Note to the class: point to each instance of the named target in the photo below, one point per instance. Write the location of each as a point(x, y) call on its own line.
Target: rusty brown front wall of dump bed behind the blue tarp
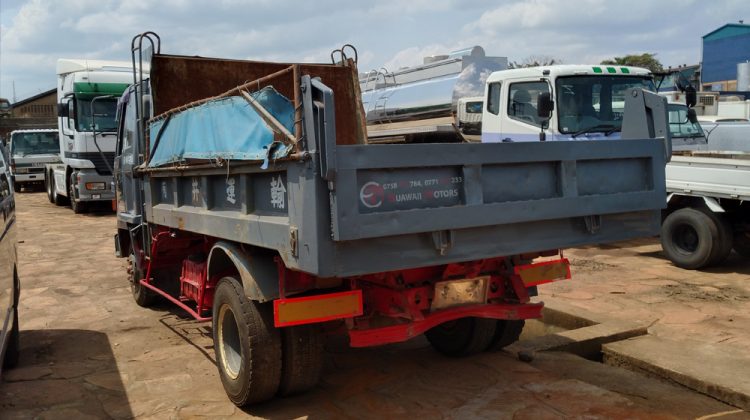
point(177, 80)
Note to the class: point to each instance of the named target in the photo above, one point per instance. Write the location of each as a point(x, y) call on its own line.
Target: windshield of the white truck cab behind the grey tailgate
point(594, 103)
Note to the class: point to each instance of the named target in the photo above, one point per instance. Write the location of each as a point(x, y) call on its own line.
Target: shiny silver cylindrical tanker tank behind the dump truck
point(429, 90)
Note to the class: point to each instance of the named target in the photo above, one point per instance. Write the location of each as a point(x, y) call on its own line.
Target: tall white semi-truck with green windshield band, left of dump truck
point(87, 94)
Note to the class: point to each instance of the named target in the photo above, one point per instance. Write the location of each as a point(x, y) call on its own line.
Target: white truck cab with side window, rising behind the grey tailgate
point(587, 102)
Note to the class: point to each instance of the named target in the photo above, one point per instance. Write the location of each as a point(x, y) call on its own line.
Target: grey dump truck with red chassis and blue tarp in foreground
point(253, 199)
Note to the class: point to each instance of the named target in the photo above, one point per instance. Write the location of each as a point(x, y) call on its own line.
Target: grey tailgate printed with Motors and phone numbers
point(388, 190)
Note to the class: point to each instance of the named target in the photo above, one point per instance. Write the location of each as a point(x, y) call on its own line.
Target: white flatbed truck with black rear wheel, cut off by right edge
point(708, 186)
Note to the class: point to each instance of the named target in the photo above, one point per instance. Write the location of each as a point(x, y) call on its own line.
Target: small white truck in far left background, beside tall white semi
point(30, 151)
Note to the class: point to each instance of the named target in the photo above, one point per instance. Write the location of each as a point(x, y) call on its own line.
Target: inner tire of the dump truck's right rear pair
point(462, 337)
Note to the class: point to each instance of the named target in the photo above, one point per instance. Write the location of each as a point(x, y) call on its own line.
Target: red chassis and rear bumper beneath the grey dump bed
point(378, 308)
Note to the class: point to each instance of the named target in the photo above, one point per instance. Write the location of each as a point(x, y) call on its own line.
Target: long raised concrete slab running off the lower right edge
point(713, 370)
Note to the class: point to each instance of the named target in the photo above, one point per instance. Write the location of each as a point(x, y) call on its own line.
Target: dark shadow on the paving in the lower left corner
point(71, 373)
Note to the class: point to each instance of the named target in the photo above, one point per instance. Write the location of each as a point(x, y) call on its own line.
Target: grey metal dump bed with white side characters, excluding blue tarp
point(339, 207)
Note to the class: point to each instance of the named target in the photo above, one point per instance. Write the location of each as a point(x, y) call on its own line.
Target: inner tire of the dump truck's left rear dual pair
point(302, 358)
